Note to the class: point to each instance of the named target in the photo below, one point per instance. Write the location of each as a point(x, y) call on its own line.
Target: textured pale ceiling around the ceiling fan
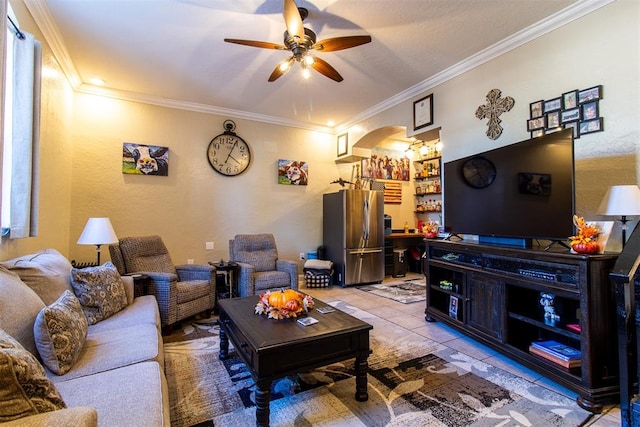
point(171, 52)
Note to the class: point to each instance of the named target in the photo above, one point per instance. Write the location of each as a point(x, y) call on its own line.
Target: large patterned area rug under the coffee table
point(412, 381)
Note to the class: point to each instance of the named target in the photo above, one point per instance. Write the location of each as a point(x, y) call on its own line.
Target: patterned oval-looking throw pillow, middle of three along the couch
point(60, 331)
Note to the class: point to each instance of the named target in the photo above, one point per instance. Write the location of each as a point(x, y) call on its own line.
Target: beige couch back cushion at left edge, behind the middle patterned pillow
point(19, 306)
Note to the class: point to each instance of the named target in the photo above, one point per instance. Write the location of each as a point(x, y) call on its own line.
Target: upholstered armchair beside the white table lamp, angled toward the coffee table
point(181, 291)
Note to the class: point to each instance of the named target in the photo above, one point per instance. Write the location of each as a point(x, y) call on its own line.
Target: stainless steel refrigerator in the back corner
point(353, 235)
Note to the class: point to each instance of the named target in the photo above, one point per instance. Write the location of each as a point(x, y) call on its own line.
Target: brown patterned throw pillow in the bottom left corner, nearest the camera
point(25, 388)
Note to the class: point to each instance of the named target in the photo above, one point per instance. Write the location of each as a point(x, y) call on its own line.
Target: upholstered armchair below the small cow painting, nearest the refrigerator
point(259, 266)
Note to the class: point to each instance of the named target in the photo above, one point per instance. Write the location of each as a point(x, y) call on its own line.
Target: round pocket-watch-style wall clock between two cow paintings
point(229, 154)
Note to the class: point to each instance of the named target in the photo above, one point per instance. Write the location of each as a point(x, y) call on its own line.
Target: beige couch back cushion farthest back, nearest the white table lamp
point(47, 272)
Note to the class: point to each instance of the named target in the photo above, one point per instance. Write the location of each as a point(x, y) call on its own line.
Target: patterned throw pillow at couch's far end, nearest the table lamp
point(100, 291)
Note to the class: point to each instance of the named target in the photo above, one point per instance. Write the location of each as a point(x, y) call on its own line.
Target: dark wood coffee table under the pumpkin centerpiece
point(275, 348)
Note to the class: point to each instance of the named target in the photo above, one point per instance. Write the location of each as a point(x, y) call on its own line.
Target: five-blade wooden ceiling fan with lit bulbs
point(301, 42)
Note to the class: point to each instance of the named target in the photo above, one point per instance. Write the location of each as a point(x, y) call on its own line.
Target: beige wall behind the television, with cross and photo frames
point(600, 48)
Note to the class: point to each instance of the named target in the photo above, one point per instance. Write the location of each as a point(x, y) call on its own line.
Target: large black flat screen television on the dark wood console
point(513, 194)
